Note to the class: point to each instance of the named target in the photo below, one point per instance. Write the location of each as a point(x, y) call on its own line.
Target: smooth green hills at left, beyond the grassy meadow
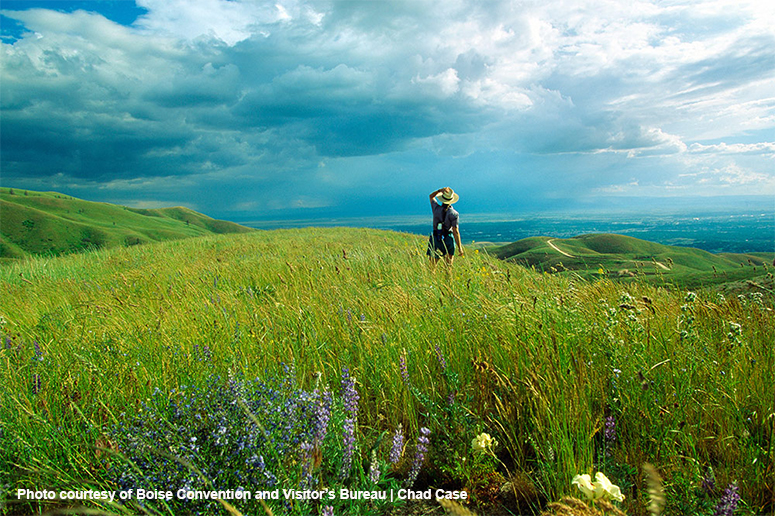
point(33, 223)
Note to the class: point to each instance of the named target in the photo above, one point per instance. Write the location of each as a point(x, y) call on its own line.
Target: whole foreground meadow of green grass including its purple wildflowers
point(105, 349)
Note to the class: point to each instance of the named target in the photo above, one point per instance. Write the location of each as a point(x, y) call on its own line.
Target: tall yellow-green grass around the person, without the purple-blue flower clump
point(540, 362)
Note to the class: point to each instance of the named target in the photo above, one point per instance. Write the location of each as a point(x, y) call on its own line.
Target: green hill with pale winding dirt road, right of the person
point(627, 258)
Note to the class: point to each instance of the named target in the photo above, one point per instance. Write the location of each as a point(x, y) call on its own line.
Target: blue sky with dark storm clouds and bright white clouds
point(248, 110)
